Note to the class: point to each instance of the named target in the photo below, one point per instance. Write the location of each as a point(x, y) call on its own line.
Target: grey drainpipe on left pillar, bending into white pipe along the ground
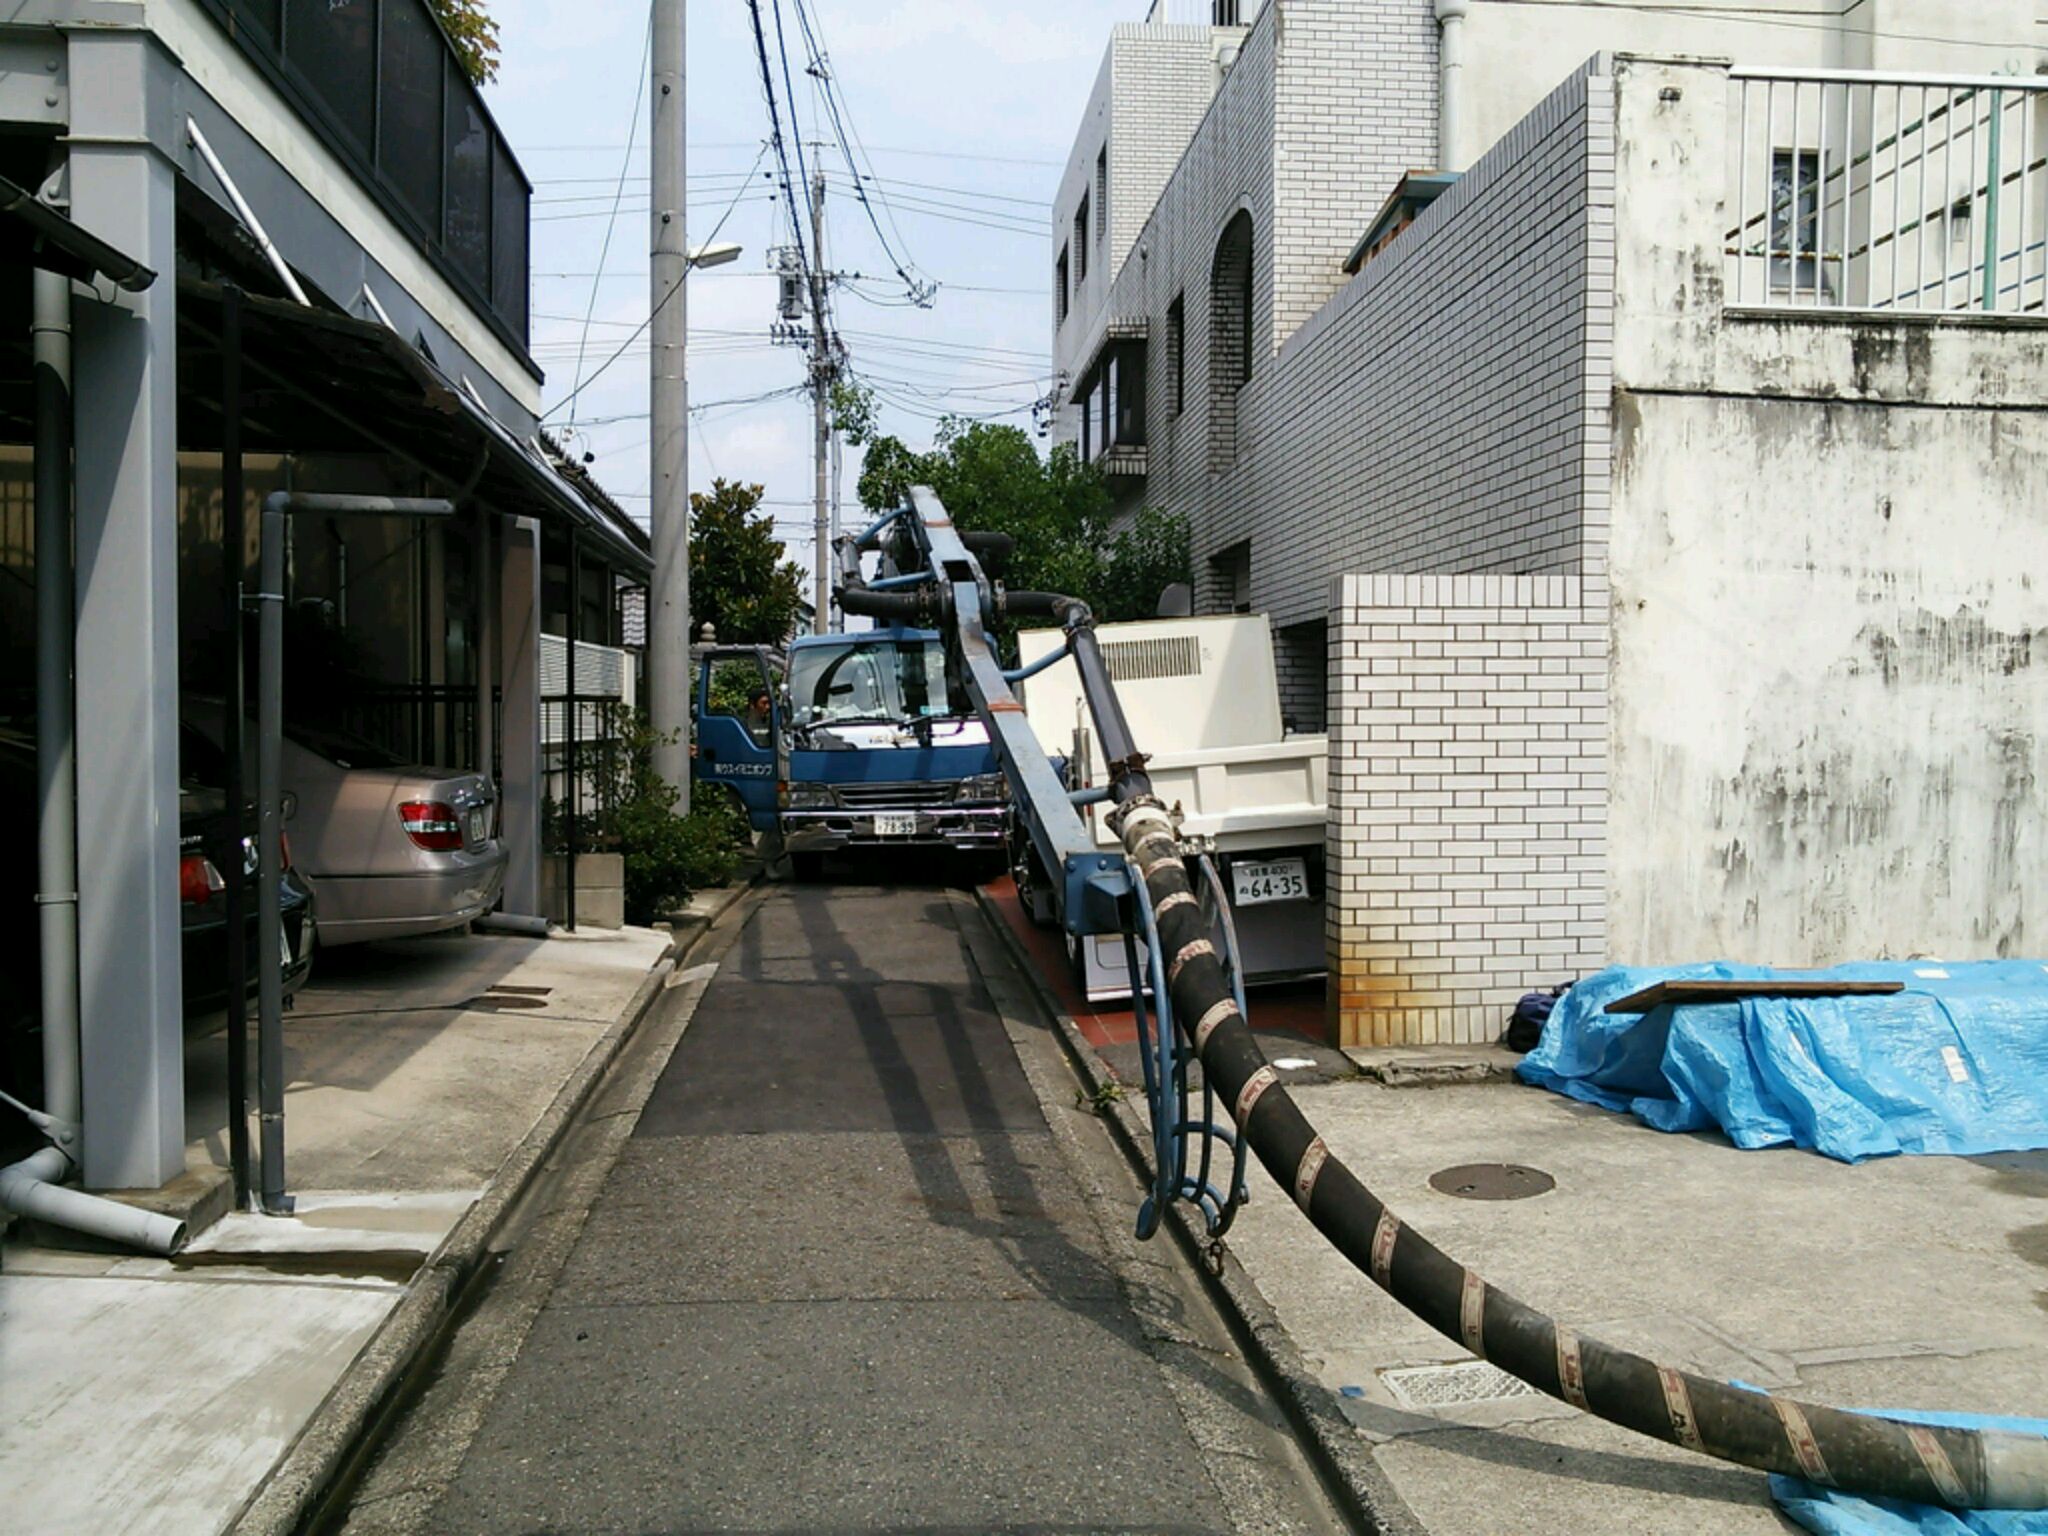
point(36, 1185)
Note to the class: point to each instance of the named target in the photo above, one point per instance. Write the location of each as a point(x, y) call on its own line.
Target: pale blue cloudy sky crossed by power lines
point(966, 110)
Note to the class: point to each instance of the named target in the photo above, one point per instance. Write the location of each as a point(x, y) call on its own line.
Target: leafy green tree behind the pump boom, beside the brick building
point(1056, 507)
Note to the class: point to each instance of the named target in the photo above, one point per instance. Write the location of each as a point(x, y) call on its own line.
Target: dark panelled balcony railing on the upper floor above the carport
point(382, 85)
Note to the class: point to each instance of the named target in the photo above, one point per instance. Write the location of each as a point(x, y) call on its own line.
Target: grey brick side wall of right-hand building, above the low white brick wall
point(1449, 409)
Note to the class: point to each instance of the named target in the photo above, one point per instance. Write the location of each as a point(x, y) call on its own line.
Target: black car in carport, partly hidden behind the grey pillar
point(204, 843)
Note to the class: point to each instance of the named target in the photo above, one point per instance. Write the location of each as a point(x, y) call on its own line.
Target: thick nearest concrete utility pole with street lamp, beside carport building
point(669, 603)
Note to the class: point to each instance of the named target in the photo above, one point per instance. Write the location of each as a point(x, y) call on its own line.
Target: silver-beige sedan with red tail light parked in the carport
point(392, 849)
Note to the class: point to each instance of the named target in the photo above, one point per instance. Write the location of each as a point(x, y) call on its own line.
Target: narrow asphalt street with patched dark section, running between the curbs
point(861, 1265)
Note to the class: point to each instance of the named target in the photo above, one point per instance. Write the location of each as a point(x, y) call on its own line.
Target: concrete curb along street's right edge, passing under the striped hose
point(1340, 1457)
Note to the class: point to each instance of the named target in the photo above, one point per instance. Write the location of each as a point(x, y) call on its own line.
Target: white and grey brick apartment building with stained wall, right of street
point(1629, 421)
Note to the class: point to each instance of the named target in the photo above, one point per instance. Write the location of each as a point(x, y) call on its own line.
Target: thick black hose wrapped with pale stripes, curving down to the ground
point(1857, 1453)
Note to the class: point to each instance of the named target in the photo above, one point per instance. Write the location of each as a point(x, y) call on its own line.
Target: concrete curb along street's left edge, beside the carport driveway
point(372, 1388)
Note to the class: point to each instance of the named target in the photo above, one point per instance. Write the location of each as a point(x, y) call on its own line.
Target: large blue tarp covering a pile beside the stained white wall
point(1955, 1064)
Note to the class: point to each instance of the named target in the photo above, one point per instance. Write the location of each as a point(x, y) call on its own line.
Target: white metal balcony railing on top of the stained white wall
point(1889, 194)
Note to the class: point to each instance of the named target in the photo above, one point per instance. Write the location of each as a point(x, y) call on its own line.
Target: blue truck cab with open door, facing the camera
point(851, 742)
